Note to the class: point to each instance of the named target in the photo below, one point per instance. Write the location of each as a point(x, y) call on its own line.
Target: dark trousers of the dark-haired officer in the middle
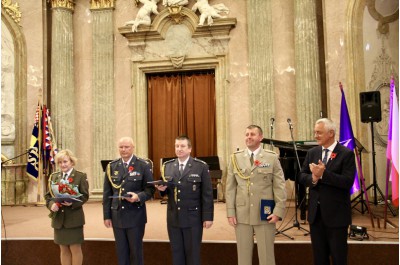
point(185, 244)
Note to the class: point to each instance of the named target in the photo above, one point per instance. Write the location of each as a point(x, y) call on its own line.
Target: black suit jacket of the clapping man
point(332, 192)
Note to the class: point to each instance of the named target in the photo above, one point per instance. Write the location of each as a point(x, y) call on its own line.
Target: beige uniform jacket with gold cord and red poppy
point(266, 181)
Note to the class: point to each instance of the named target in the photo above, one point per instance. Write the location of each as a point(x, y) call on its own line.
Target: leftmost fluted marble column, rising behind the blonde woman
point(62, 75)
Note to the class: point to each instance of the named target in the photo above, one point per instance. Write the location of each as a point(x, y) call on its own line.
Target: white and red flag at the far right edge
point(392, 152)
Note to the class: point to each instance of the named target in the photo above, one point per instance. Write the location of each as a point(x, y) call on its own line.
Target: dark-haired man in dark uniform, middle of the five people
point(190, 202)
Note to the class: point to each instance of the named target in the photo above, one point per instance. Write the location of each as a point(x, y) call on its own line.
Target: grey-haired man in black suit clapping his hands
point(328, 171)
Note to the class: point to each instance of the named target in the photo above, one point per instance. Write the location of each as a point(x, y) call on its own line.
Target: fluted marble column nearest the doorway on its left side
point(103, 91)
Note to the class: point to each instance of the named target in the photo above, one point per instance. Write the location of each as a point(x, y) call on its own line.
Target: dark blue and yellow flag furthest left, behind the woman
point(32, 167)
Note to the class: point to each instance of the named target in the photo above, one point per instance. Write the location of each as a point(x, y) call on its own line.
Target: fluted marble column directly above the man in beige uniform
point(262, 100)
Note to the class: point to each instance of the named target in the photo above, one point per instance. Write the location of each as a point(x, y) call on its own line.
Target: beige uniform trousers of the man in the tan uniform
point(265, 236)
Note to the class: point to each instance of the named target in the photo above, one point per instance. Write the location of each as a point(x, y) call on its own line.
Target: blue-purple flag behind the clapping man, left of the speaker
point(346, 135)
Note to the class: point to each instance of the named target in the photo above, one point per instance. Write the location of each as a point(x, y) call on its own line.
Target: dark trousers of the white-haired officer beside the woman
point(129, 245)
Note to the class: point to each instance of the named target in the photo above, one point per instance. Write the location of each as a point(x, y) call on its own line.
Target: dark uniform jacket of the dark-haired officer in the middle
point(193, 193)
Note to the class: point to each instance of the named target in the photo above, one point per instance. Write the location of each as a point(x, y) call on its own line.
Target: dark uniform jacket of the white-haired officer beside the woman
point(123, 213)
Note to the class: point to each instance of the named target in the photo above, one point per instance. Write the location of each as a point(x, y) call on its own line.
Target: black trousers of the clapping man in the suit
point(328, 241)
